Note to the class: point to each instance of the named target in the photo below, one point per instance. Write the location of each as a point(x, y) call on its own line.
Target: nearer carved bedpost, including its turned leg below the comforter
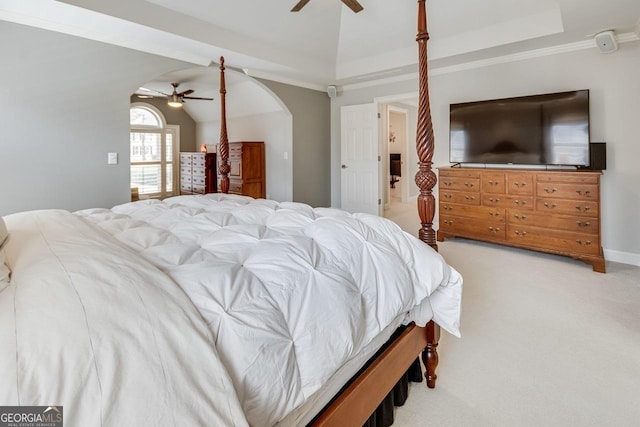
point(426, 180)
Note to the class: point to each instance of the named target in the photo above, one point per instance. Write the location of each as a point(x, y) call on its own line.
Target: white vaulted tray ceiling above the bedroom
point(326, 43)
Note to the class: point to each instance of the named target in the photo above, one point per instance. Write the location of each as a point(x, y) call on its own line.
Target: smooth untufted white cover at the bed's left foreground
point(88, 325)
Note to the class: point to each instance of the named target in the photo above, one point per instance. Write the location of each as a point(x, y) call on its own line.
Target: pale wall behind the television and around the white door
point(615, 114)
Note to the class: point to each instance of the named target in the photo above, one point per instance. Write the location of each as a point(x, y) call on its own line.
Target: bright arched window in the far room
point(154, 147)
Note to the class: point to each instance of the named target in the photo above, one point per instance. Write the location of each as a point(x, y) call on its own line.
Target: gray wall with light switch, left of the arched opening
point(64, 103)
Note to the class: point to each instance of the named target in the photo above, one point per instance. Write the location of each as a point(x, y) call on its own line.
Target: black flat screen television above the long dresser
point(548, 129)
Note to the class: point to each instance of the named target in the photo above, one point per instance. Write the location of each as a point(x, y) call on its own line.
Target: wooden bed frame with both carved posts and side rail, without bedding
point(360, 399)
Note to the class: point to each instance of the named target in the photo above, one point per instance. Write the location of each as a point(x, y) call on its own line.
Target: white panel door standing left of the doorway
point(359, 158)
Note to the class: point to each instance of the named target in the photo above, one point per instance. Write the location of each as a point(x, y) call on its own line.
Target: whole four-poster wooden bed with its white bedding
point(222, 309)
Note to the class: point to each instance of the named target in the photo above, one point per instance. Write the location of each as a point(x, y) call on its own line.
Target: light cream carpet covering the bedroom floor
point(545, 342)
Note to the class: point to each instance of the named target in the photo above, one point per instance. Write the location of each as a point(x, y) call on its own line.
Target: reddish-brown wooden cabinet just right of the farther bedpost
point(247, 175)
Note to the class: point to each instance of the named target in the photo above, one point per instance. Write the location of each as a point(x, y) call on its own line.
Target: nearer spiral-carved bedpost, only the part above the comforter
point(425, 178)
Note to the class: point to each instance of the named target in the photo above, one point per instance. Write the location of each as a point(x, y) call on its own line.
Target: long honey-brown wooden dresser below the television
point(548, 211)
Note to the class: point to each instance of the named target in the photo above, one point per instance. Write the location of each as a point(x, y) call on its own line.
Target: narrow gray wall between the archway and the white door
point(311, 142)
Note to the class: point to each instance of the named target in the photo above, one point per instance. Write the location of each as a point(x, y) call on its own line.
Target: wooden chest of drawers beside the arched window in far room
point(197, 173)
